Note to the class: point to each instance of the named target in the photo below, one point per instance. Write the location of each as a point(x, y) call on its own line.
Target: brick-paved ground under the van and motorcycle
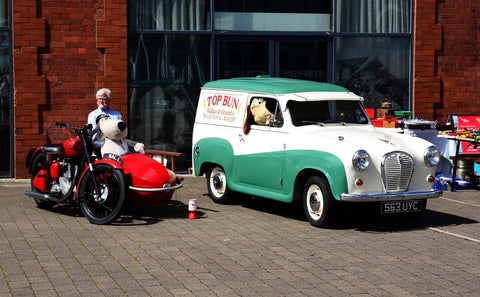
point(253, 247)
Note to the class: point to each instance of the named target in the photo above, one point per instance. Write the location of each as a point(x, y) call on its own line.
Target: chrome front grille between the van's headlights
point(397, 170)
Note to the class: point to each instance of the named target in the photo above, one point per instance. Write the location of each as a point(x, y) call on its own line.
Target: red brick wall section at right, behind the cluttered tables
point(446, 67)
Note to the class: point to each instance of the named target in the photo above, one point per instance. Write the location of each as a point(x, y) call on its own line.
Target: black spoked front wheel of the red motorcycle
point(106, 206)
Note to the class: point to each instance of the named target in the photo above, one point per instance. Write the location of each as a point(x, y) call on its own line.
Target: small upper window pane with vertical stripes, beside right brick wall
point(373, 16)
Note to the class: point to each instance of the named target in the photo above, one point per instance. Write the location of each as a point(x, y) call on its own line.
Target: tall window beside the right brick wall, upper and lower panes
point(373, 50)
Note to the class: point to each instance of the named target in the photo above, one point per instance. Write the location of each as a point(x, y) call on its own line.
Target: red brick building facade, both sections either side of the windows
point(64, 50)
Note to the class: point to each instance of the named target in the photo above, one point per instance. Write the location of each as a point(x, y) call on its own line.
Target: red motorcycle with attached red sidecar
point(75, 172)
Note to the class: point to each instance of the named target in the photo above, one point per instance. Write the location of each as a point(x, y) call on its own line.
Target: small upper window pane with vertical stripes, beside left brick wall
point(169, 14)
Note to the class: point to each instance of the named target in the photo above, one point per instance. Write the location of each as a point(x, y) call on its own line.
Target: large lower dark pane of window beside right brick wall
point(376, 68)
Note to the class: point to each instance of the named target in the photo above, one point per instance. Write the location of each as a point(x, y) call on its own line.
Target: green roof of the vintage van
point(272, 85)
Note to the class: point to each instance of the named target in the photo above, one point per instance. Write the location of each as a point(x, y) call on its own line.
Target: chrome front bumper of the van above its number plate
point(390, 196)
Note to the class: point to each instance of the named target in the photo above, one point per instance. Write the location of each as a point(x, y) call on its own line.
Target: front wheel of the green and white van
point(318, 202)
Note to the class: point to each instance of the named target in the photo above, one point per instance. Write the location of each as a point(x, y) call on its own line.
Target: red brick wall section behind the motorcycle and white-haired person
point(63, 52)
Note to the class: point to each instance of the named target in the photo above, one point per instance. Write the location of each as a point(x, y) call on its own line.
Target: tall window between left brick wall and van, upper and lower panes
point(168, 63)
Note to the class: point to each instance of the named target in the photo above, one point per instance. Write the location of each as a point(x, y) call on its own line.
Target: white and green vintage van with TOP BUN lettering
point(319, 146)
